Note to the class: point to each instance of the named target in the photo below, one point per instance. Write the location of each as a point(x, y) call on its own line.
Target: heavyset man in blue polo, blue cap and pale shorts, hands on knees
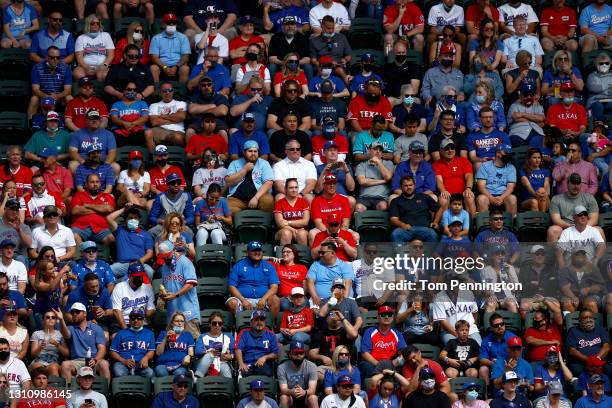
point(253, 283)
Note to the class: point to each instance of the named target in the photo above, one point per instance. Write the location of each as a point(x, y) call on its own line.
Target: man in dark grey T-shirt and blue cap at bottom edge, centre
point(297, 378)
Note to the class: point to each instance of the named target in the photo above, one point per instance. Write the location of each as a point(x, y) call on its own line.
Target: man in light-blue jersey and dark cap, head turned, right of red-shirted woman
point(496, 181)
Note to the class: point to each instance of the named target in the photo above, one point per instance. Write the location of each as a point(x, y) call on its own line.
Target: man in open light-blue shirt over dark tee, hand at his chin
point(249, 180)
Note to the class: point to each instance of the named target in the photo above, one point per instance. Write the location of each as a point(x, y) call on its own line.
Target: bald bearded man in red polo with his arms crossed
point(89, 209)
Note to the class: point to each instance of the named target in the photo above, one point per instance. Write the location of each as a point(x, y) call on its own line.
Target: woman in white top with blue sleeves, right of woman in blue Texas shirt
point(214, 349)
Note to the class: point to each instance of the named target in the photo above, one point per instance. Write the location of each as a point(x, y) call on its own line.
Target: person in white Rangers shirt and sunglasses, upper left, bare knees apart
point(94, 50)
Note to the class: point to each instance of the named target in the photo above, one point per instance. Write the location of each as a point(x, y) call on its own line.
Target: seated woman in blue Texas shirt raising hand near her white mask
point(174, 348)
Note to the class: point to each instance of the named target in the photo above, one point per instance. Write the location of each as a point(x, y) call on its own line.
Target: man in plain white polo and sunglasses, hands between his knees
point(295, 166)
